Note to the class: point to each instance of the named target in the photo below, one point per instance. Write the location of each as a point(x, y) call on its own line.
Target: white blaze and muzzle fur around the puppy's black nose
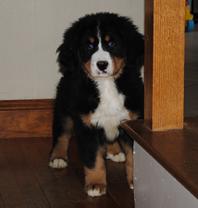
point(101, 55)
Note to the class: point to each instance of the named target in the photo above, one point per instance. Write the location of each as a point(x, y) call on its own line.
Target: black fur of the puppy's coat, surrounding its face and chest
point(77, 93)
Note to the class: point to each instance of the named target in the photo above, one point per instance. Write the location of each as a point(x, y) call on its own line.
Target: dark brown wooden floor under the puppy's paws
point(27, 181)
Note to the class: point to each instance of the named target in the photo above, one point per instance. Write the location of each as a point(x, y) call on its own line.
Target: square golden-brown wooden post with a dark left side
point(164, 63)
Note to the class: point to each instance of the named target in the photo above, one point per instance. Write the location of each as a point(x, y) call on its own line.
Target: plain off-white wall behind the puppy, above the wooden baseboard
point(31, 30)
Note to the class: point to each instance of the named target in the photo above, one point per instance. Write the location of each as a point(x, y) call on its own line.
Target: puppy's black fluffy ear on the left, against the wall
point(67, 53)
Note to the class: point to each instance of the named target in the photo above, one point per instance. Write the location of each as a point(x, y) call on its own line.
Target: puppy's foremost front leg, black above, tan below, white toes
point(92, 150)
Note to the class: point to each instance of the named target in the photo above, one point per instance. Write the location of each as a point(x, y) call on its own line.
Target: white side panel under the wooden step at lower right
point(155, 187)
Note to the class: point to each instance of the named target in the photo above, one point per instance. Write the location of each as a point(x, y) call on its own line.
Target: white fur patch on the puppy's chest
point(110, 111)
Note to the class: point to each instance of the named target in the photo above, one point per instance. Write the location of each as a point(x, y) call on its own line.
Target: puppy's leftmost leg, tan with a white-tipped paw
point(61, 139)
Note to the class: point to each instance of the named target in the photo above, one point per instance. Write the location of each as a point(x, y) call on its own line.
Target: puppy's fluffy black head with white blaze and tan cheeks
point(101, 44)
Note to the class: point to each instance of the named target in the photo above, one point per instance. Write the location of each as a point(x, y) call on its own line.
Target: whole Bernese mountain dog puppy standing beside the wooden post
point(100, 59)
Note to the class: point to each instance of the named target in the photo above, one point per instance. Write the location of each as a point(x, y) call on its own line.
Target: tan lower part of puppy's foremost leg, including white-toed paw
point(95, 178)
